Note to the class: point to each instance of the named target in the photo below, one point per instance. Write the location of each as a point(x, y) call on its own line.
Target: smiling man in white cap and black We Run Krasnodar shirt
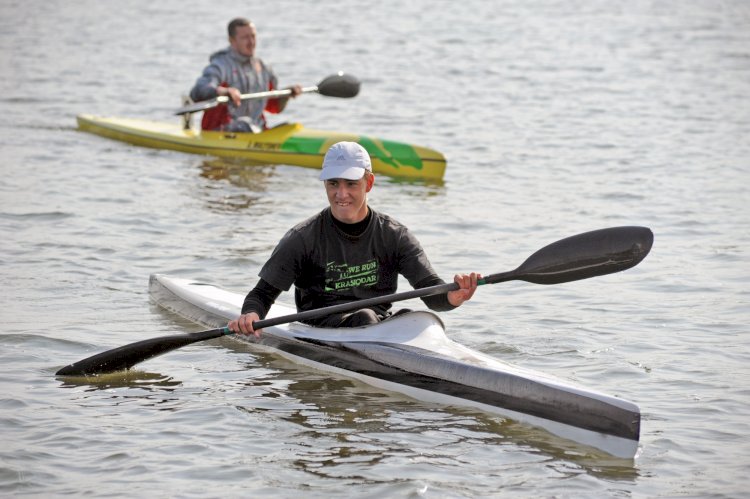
point(345, 253)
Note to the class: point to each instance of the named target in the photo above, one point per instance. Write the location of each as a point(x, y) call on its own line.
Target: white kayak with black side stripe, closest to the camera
point(411, 354)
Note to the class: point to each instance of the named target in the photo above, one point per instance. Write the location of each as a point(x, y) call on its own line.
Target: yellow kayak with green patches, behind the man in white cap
point(288, 144)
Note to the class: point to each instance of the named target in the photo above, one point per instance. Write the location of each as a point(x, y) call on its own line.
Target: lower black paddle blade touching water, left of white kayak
point(127, 356)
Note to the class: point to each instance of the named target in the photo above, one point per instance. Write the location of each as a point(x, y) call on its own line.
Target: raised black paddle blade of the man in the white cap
point(590, 254)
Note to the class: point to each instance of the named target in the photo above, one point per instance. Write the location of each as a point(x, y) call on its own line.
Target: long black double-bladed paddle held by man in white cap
point(590, 254)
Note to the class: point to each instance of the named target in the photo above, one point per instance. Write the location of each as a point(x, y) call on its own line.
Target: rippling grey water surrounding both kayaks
point(555, 117)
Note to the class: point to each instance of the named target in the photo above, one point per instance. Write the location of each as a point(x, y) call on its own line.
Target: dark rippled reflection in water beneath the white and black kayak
point(355, 424)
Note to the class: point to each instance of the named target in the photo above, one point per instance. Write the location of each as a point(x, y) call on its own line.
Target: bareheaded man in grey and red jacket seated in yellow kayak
point(233, 71)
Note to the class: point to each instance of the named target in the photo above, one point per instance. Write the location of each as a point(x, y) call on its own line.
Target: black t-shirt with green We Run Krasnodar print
point(329, 266)
